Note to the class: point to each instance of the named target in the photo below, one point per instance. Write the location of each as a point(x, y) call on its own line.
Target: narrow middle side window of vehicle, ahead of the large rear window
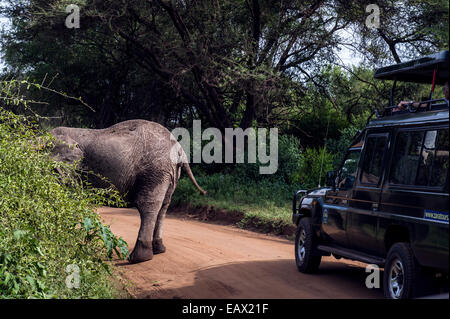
point(373, 159)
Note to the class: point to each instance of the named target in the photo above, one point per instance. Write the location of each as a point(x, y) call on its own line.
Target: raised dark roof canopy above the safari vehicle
point(418, 71)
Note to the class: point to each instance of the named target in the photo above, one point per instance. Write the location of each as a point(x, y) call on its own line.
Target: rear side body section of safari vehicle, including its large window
point(417, 189)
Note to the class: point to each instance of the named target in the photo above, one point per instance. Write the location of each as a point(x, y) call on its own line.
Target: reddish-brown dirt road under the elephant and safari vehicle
point(206, 260)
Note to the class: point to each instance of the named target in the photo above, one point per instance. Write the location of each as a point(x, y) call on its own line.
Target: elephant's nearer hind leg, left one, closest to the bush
point(149, 206)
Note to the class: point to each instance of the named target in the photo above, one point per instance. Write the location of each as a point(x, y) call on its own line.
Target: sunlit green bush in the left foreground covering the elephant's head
point(48, 223)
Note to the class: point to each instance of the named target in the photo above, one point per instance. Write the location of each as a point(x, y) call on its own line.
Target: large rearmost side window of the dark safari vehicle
point(421, 158)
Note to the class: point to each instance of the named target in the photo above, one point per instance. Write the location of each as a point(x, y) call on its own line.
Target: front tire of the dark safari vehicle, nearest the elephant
point(305, 257)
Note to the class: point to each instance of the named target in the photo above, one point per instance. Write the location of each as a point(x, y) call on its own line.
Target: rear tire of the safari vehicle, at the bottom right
point(401, 272)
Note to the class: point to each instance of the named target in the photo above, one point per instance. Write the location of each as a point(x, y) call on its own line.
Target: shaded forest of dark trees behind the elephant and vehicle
point(246, 63)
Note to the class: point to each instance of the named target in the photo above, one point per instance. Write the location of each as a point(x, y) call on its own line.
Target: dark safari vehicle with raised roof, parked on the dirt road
point(388, 202)
